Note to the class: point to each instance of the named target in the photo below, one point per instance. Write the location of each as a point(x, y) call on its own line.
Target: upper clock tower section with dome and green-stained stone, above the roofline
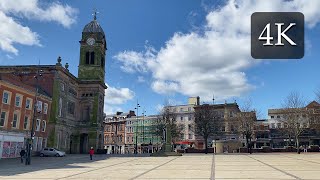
point(92, 52)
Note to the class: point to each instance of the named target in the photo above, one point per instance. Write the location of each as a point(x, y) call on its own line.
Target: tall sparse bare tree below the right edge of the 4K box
point(295, 116)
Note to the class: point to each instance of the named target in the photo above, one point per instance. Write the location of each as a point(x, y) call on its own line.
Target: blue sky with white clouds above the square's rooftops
point(162, 52)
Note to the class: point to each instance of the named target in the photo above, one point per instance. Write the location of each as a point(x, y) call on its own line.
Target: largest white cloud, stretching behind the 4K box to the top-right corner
point(214, 61)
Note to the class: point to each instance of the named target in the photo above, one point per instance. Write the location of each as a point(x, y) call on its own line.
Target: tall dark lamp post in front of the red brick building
point(30, 141)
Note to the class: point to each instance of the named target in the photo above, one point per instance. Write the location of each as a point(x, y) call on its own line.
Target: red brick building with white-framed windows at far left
point(17, 102)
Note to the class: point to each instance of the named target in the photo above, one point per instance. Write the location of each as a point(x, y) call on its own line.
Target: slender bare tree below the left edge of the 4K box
point(246, 123)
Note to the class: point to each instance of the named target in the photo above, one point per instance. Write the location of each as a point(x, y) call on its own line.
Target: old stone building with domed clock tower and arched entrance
point(76, 120)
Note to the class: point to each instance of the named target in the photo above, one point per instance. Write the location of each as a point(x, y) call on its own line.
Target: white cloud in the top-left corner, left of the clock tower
point(13, 32)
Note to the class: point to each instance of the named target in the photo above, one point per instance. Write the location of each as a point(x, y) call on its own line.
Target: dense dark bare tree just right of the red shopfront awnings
point(206, 123)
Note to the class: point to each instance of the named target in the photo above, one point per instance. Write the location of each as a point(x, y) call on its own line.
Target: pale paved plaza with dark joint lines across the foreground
point(188, 166)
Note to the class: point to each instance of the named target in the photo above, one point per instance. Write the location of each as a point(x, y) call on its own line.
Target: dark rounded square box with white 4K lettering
point(259, 20)
